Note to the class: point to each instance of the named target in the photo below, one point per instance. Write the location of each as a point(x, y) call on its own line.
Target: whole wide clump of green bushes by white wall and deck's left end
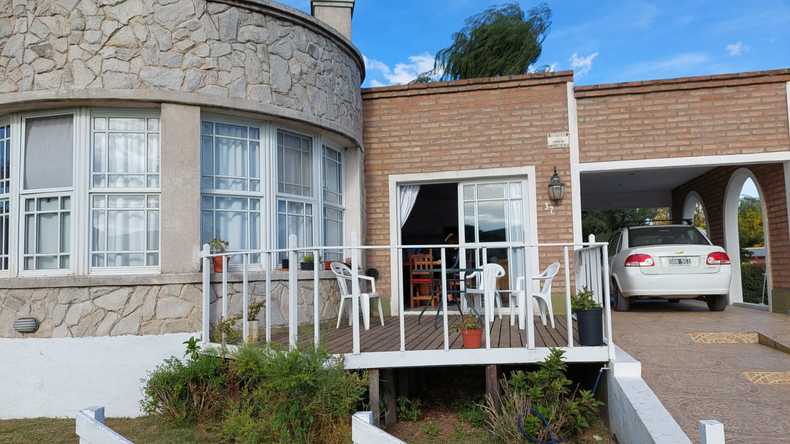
point(258, 394)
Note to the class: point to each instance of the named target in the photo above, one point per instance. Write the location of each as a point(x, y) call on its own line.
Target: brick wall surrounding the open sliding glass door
point(488, 123)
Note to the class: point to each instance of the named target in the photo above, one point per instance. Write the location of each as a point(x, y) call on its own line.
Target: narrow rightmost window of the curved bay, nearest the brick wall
point(333, 201)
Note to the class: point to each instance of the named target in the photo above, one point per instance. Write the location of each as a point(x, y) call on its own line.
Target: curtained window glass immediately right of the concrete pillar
point(233, 194)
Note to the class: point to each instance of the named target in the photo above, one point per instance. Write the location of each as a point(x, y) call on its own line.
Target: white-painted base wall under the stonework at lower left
point(57, 377)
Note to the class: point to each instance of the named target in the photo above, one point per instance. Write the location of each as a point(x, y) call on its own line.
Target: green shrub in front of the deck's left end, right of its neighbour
point(291, 397)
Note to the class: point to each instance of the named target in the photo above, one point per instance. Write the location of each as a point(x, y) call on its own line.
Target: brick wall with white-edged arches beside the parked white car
point(712, 187)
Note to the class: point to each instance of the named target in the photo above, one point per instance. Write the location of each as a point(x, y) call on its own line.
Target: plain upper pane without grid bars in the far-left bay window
point(48, 152)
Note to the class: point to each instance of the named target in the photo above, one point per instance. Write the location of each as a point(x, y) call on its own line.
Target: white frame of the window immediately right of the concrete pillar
point(265, 191)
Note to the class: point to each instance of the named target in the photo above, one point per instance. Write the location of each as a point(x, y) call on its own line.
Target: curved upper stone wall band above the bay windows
point(204, 51)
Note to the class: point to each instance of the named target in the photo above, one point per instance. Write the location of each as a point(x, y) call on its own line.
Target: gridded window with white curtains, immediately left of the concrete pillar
point(124, 191)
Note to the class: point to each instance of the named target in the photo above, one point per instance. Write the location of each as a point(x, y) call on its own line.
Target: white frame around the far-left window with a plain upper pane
point(21, 194)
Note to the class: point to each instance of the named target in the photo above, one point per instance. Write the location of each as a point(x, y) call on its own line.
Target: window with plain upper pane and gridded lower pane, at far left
point(46, 195)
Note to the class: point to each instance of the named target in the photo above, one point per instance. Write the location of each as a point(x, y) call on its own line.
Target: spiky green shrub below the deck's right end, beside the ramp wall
point(546, 392)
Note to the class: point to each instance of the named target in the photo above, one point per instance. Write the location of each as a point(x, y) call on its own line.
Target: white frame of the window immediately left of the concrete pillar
point(146, 191)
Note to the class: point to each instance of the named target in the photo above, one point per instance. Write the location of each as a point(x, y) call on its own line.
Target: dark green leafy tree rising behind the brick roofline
point(499, 41)
